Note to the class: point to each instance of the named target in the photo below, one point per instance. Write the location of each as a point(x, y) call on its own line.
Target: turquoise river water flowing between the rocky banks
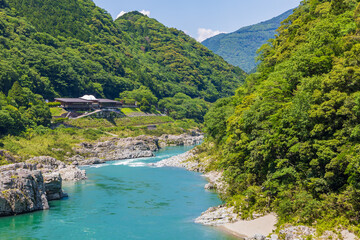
point(124, 200)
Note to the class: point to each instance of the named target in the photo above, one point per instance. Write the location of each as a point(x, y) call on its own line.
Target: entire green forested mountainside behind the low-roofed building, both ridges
point(70, 48)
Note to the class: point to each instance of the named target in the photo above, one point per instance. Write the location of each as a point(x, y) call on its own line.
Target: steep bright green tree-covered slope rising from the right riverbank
point(289, 140)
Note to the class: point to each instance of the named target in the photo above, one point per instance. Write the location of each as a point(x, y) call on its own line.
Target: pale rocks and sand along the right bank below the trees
point(227, 220)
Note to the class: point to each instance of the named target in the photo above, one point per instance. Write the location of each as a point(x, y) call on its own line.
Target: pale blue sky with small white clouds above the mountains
point(203, 18)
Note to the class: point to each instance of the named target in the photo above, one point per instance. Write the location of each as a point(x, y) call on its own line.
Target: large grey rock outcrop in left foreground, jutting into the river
point(28, 186)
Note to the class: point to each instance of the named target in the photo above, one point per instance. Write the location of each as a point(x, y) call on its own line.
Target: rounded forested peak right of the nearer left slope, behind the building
point(169, 50)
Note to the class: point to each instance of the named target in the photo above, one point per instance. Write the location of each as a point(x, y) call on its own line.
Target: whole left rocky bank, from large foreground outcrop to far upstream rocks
point(30, 185)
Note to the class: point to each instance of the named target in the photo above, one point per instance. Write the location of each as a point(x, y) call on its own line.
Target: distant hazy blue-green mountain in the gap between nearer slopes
point(239, 48)
